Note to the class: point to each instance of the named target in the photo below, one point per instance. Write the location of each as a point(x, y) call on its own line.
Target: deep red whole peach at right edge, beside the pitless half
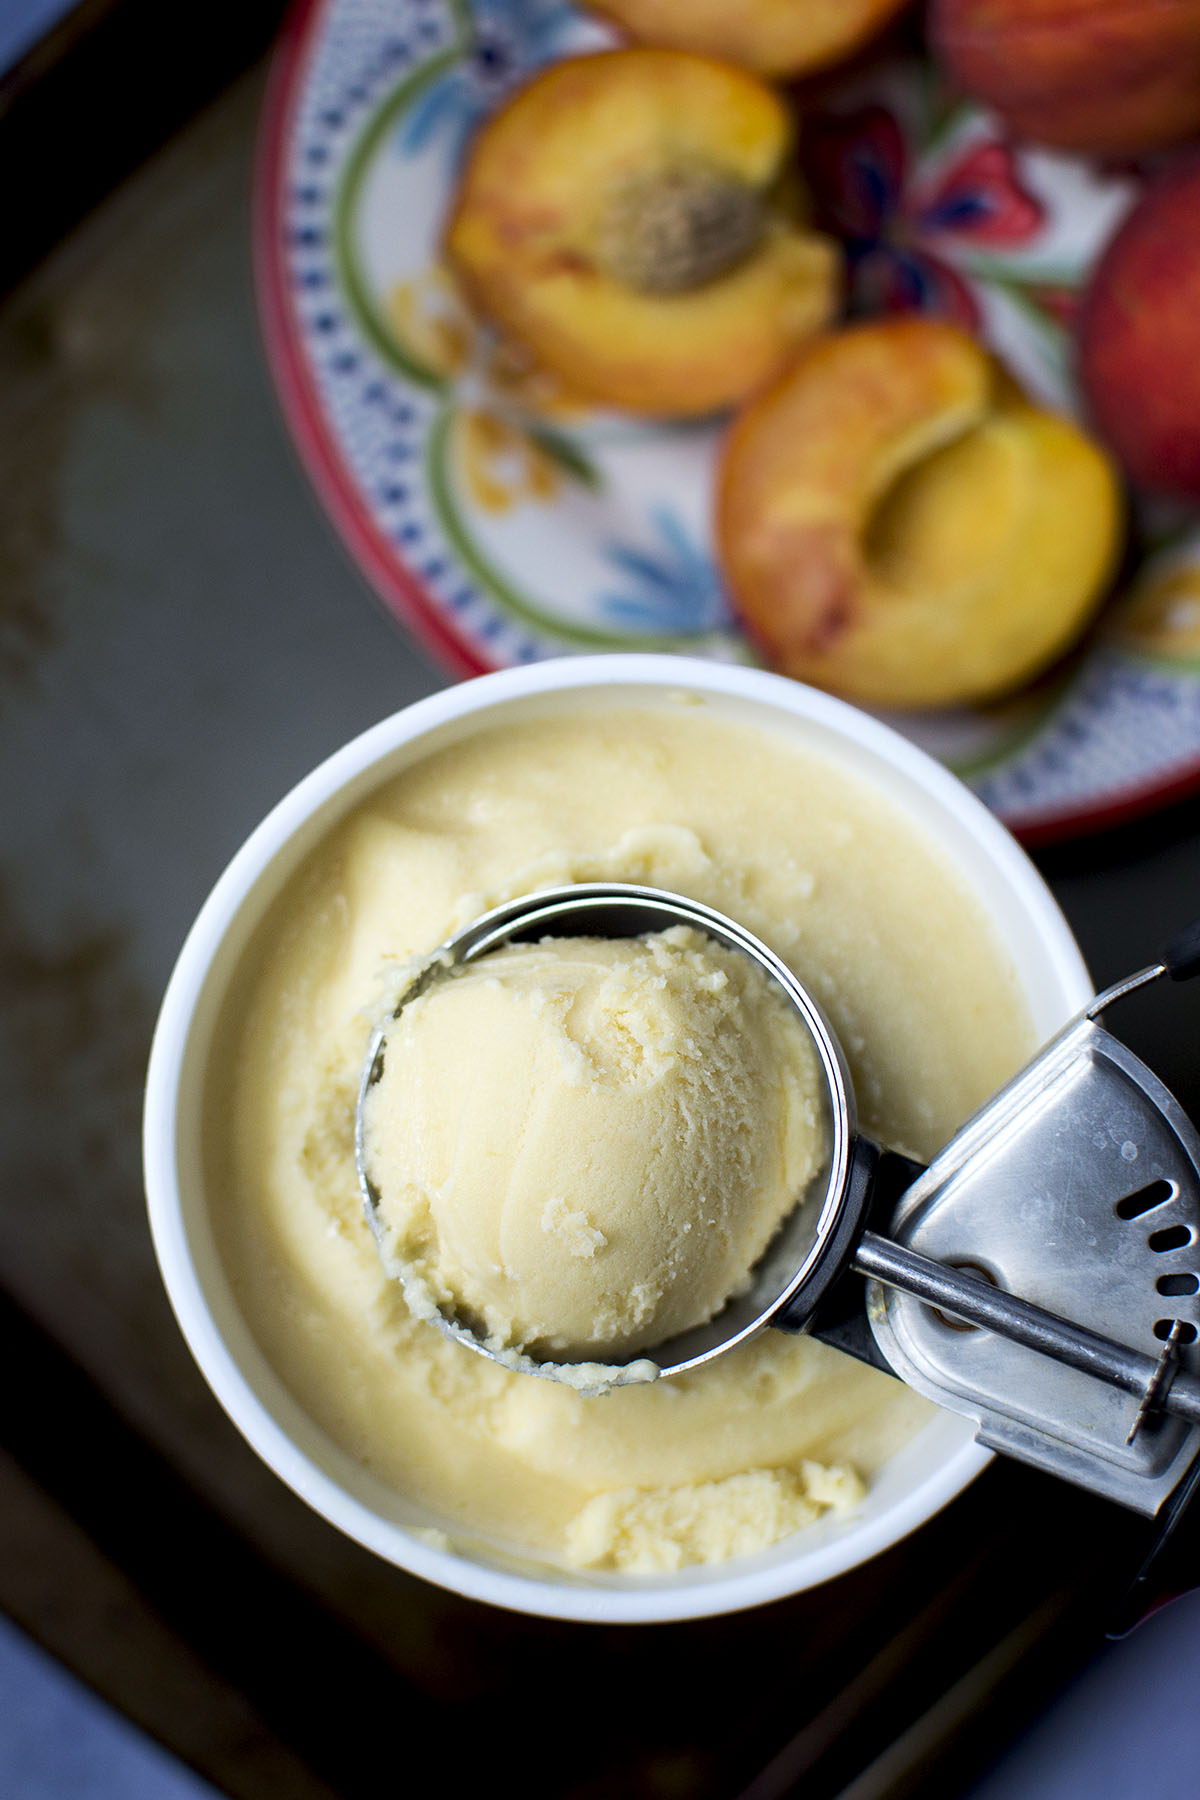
point(1140, 336)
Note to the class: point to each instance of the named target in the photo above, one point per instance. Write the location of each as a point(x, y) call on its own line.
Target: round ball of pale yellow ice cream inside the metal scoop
point(584, 1146)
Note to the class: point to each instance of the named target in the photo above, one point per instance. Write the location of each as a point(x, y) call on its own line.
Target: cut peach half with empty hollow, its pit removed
point(902, 526)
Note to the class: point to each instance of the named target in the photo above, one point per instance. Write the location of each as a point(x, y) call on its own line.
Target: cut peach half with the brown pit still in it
point(627, 219)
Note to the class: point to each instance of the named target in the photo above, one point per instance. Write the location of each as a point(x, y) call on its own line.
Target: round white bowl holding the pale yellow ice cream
point(911, 1488)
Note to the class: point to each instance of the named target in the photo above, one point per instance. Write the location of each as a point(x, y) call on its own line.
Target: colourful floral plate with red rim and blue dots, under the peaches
point(503, 523)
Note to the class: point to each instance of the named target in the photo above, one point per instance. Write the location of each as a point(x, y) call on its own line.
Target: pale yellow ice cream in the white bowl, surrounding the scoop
point(676, 795)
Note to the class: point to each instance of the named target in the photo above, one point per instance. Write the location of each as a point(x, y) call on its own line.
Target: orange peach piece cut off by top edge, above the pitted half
point(771, 37)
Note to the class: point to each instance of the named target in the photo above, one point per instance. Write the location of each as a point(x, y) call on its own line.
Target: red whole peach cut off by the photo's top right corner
point(1107, 76)
